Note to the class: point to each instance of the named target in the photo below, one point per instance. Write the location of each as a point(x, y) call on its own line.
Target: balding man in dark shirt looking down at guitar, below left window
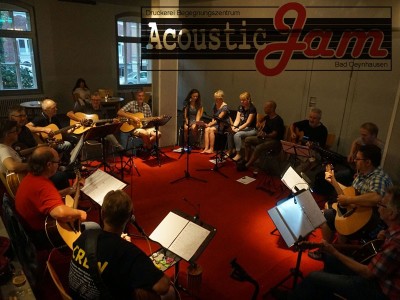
point(49, 116)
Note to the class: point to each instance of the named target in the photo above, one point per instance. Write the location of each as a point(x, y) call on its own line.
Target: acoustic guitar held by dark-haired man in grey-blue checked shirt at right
point(350, 218)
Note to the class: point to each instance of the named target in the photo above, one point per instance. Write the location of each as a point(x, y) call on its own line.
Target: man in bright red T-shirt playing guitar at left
point(37, 197)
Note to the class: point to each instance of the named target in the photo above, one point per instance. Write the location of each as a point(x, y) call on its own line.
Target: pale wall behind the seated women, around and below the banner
point(346, 98)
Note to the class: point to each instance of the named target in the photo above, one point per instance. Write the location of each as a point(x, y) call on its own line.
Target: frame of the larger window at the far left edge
point(35, 48)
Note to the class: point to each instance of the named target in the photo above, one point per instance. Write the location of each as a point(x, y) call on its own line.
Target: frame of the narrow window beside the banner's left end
point(126, 39)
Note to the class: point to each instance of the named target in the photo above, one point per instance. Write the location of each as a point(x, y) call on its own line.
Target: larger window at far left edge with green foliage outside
point(17, 48)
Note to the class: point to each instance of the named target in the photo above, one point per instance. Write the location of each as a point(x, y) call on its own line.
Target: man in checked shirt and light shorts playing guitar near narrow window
point(139, 106)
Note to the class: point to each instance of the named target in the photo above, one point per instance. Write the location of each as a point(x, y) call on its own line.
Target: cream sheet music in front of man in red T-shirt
point(99, 184)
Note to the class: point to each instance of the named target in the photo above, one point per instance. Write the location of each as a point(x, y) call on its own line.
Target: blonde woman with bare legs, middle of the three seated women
point(218, 124)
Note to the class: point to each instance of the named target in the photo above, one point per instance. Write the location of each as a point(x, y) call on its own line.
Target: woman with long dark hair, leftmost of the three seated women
point(192, 111)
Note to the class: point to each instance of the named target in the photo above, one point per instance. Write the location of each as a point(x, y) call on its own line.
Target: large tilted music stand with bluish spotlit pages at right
point(296, 217)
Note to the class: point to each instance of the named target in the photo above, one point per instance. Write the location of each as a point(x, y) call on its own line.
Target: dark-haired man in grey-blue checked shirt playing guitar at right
point(370, 183)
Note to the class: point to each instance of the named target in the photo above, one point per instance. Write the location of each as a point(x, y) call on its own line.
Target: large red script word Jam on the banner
point(320, 38)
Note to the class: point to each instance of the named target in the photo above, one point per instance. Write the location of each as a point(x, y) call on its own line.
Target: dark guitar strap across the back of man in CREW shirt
point(91, 253)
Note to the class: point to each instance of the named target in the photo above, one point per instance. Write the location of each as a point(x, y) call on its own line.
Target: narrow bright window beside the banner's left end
point(132, 70)
